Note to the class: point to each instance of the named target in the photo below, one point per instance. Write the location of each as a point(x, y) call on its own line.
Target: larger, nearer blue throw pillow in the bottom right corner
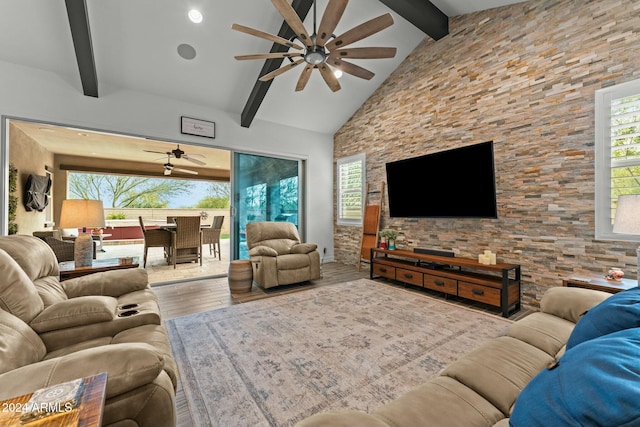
point(596, 383)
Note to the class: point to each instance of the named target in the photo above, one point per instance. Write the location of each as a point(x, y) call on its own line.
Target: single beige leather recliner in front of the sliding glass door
point(277, 255)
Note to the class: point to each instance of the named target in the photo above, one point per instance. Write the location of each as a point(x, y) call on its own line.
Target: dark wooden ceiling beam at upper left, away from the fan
point(81, 35)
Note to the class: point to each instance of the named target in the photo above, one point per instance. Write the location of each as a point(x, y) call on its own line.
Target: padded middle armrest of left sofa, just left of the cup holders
point(79, 311)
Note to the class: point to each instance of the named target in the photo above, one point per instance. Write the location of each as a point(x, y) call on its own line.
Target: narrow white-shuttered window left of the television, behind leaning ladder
point(351, 174)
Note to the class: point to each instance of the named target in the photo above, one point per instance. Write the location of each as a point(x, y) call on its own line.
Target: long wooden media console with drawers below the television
point(497, 285)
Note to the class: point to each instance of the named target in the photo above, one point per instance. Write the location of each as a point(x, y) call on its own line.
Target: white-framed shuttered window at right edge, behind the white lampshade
point(617, 153)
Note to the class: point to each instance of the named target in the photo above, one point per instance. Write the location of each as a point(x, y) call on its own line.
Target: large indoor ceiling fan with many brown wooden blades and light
point(322, 48)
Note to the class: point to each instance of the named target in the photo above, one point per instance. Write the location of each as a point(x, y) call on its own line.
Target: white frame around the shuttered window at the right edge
point(603, 167)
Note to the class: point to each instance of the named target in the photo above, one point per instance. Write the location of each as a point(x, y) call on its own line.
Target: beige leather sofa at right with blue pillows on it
point(528, 377)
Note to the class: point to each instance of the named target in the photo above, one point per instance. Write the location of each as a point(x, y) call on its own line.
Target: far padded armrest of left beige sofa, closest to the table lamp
point(112, 283)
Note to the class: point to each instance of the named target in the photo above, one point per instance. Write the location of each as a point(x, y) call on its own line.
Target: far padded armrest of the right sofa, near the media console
point(570, 303)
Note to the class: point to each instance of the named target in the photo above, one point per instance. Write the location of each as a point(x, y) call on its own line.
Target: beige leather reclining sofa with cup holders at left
point(52, 332)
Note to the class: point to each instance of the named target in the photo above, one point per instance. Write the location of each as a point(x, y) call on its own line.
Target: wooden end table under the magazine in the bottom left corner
point(87, 414)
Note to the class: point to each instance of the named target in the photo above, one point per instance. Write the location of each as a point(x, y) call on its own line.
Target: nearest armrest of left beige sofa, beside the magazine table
point(128, 366)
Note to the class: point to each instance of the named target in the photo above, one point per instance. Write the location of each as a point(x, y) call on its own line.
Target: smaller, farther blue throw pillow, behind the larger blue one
point(619, 311)
